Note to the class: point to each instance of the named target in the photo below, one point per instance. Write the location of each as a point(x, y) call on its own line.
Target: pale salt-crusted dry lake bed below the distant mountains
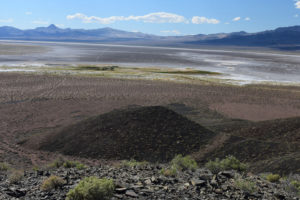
point(242, 66)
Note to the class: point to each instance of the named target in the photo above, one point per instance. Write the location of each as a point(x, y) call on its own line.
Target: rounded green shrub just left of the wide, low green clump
point(184, 163)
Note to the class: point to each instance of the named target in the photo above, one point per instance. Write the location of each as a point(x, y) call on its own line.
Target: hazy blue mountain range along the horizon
point(286, 37)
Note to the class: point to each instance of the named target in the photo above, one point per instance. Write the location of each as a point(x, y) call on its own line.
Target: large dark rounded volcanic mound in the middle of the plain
point(146, 133)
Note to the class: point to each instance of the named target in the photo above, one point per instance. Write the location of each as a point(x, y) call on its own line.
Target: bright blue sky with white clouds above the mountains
point(160, 17)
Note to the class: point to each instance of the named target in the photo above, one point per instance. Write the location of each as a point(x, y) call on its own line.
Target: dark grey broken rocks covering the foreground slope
point(147, 182)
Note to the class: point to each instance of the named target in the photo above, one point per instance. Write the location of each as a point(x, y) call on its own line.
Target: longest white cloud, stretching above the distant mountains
point(159, 17)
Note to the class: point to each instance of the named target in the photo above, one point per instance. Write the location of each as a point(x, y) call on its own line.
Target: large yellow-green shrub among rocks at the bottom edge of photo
point(92, 188)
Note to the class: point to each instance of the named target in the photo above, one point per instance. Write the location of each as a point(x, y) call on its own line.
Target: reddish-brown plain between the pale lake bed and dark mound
point(34, 105)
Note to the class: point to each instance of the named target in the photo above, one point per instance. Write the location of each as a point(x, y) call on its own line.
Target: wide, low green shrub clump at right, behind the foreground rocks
point(228, 163)
